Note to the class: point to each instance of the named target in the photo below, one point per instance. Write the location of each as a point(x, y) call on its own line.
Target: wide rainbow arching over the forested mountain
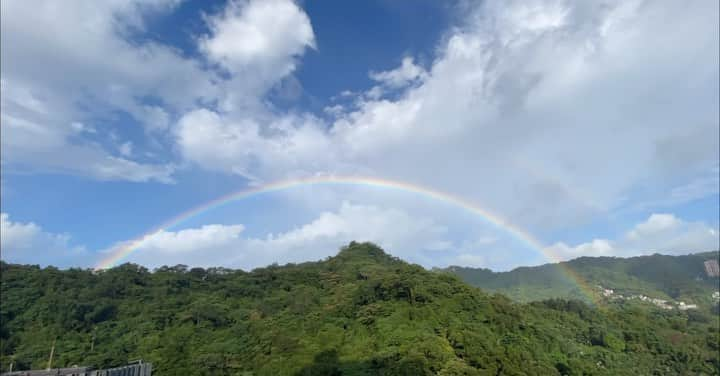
point(122, 251)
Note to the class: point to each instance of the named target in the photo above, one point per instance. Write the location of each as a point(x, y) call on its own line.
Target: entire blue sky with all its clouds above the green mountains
point(581, 124)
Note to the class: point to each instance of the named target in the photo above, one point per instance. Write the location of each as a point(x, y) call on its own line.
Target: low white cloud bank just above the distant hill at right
point(662, 233)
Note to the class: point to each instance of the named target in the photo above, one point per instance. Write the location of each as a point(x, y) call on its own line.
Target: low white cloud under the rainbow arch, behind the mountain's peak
point(211, 245)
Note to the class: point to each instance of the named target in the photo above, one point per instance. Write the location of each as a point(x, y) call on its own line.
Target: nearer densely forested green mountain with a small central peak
point(361, 312)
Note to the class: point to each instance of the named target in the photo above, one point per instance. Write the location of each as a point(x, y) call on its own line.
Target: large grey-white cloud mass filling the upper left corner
point(66, 67)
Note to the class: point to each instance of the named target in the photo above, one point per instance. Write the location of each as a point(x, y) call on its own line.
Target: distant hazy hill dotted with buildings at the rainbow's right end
point(668, 277)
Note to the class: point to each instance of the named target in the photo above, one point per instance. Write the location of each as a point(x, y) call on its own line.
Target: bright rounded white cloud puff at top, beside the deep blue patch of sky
point(258, 42)
